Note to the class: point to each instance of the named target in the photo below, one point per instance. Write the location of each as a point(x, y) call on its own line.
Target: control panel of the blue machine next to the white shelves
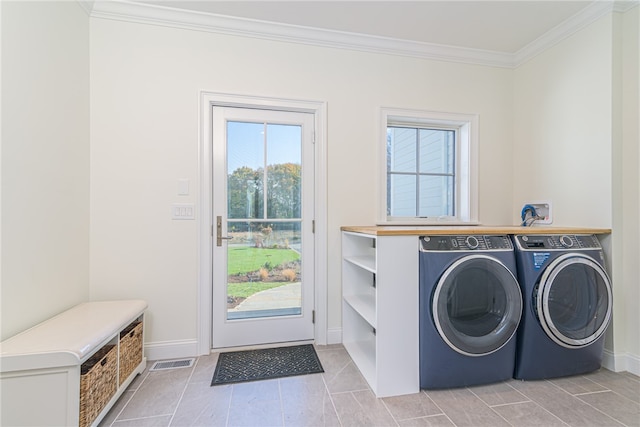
point(466, 243)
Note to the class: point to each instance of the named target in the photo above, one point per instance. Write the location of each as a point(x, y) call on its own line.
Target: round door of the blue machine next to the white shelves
point(476, 305)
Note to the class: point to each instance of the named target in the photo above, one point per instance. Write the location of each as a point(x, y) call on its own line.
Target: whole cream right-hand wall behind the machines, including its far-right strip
point(571, 147)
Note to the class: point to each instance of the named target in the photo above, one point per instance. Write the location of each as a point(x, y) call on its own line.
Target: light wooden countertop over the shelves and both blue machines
point(409, 230)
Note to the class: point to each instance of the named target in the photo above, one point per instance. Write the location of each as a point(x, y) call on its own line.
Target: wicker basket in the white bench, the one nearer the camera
point(98, 383)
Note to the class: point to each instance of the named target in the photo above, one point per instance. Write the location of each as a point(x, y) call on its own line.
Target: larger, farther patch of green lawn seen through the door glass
point(243, 260)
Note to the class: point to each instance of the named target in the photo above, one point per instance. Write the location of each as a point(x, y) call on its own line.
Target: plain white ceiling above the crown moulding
point(504, 26)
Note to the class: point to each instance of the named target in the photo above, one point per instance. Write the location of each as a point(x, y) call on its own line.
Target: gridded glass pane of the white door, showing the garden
point(264, 191)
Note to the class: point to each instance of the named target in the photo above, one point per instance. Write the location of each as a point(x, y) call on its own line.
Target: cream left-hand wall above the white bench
point(45, 161)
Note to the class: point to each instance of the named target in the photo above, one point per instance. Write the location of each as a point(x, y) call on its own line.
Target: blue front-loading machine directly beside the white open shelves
point(470, 307)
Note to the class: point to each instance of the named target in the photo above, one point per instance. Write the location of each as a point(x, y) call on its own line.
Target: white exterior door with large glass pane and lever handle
point(263, 249)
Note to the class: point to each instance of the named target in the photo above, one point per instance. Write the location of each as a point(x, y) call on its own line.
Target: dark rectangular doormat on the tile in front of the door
point(253, 365)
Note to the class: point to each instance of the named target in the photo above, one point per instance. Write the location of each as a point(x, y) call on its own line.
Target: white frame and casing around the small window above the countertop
point(466, 166)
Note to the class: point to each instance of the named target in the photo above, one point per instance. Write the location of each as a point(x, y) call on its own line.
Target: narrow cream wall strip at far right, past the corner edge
point(626, 203)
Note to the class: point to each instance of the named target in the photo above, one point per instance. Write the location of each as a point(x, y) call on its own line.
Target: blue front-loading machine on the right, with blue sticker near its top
point(567, 305)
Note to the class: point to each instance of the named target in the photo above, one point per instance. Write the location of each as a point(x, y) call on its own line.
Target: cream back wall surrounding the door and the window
point(145, 82)
